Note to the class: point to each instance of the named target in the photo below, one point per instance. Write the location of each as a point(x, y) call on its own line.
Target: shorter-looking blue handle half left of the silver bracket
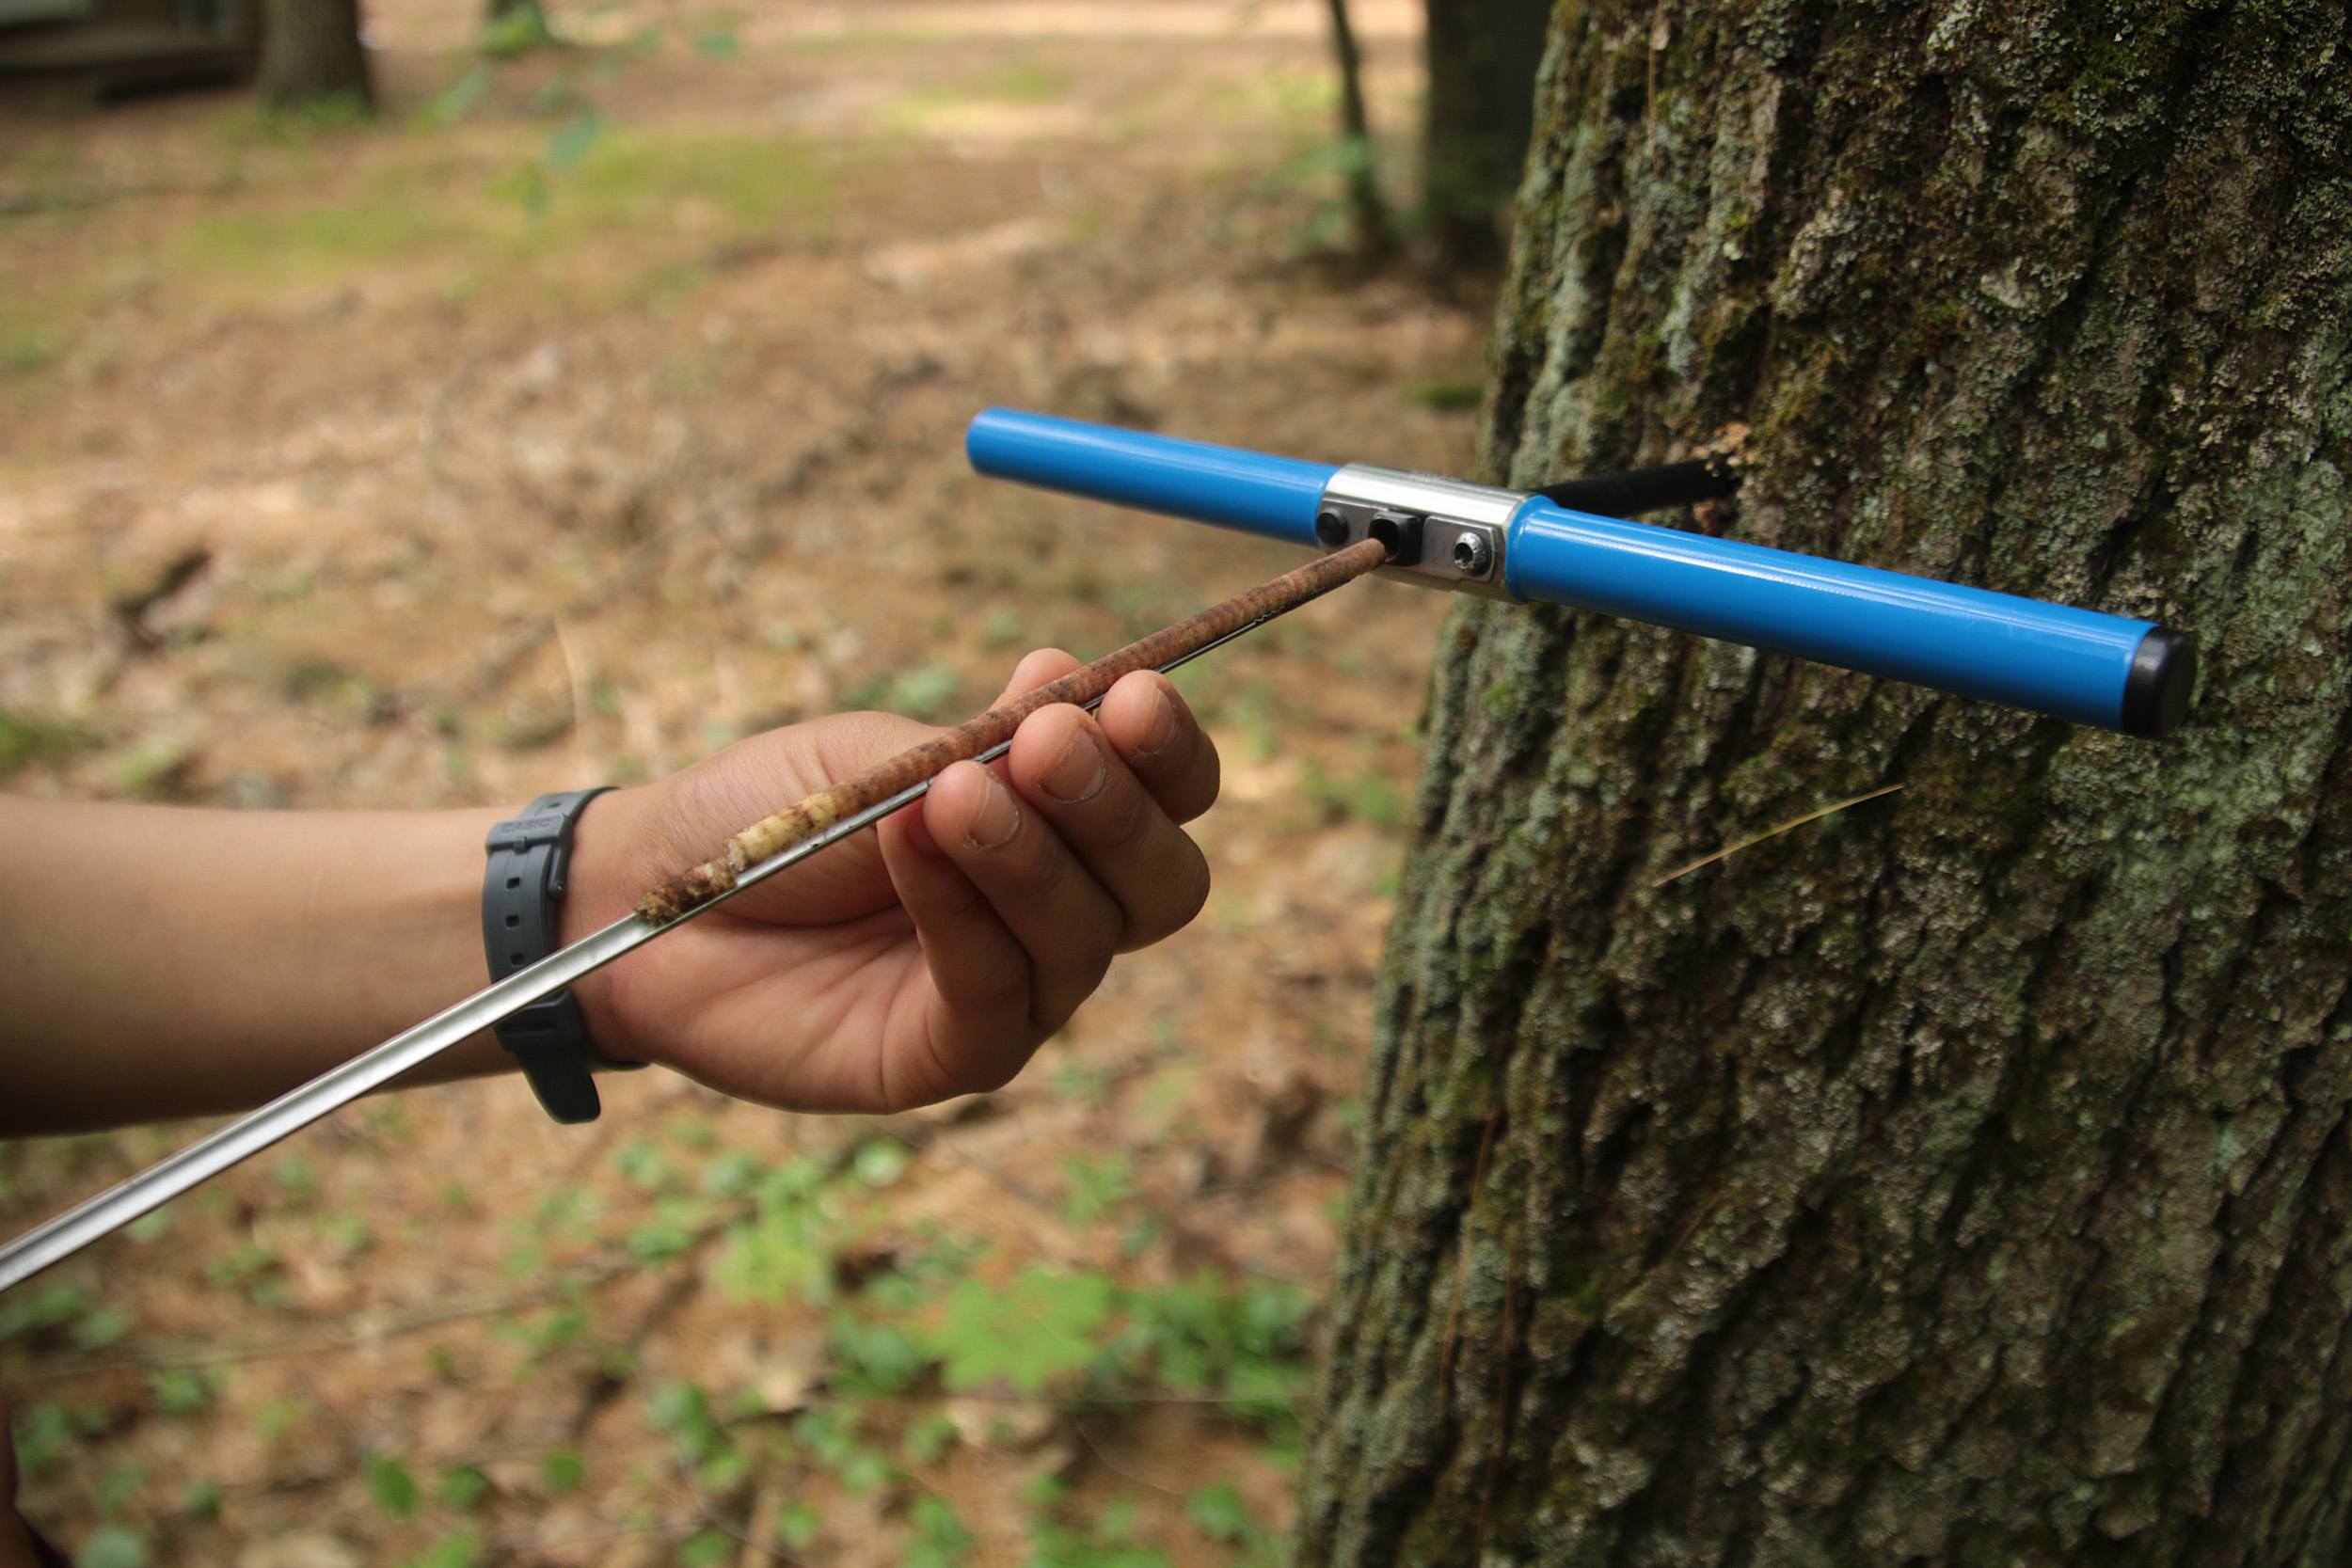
point(1154, 474)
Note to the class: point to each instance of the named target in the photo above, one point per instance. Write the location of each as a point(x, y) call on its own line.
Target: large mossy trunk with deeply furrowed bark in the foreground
point(1963, 1179)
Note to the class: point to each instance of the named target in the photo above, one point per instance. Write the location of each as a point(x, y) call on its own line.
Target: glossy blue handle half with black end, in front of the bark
point(1991, 645)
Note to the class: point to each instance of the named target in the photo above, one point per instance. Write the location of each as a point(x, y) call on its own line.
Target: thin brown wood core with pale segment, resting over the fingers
point(911, 768)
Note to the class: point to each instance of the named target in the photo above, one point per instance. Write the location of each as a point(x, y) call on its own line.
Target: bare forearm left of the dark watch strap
point(163, 963)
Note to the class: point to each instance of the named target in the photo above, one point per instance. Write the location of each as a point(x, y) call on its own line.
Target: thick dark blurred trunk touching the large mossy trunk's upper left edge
point(1483, 62)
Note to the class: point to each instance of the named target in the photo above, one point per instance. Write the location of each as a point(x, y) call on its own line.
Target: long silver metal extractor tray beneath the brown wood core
point(338, 1087)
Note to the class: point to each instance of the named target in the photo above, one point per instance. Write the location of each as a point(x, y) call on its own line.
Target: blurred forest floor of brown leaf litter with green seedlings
point(580, 417)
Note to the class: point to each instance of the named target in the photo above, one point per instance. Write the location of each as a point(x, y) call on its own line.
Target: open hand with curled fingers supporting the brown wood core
point(914, 963)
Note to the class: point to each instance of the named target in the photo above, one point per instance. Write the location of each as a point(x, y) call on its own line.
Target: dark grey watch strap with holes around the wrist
point(526, 883)
